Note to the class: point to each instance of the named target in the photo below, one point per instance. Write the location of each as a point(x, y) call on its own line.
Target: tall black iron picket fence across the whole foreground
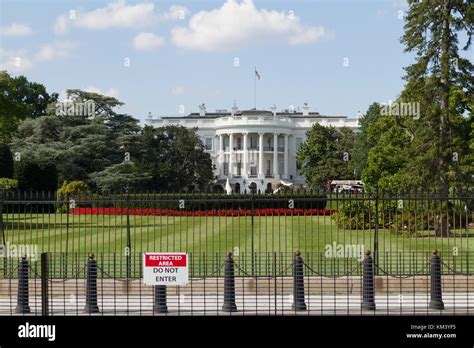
point(331, 274)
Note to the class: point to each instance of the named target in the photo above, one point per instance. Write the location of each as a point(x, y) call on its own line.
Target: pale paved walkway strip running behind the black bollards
point(392, 304)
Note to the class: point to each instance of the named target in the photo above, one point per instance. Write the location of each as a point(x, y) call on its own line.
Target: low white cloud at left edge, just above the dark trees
point(21, 60)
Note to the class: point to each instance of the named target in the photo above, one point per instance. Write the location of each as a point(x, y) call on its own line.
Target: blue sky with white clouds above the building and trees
point(339, 56)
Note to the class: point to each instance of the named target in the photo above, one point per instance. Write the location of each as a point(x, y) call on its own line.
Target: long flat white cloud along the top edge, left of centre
point(118, 14)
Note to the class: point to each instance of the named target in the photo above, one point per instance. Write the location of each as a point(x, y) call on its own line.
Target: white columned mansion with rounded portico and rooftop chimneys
point(254, 146)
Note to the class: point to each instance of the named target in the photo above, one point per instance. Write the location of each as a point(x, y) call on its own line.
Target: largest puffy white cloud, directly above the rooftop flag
point(237, 24)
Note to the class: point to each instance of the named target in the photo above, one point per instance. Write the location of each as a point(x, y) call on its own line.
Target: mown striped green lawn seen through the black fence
point(209, 238)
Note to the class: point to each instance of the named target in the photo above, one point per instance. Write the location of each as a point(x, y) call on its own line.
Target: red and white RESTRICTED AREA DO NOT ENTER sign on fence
point(165, 269)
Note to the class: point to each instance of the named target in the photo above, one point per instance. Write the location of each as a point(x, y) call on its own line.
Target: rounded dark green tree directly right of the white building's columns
point(326, 155)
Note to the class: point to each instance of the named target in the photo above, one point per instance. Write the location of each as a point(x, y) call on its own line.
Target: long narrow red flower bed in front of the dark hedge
point(228, 212)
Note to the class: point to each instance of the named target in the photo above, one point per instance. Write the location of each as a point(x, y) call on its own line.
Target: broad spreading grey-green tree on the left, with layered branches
point(80, 145)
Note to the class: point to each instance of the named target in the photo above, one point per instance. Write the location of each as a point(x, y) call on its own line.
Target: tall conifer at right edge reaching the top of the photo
point(441, 80)
